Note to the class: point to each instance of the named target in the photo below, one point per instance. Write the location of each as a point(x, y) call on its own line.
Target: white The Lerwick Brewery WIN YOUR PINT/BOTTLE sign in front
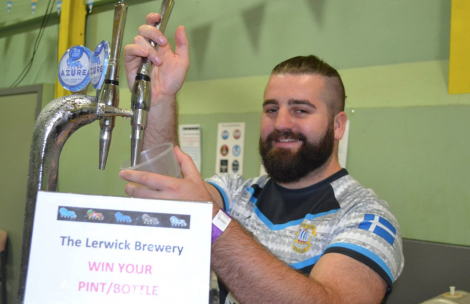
point(100, 249)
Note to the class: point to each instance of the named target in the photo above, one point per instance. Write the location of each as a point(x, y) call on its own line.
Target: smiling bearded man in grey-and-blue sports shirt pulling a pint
point(305, 233)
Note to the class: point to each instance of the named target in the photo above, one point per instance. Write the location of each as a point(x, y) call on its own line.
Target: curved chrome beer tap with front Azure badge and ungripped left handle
point(62, 117)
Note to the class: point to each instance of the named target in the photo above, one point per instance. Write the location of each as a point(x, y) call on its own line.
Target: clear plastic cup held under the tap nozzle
point(160, 159)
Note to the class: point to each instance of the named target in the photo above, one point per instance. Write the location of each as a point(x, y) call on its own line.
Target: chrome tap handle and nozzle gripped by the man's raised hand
point(140, 102)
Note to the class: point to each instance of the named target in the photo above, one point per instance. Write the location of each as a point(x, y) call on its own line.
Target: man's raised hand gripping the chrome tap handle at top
point(170, 67)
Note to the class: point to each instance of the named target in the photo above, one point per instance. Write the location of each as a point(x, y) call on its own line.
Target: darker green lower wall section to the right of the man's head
point(416, 159)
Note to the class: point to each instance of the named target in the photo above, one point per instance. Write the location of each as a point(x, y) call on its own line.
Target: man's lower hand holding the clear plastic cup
point(191, 187)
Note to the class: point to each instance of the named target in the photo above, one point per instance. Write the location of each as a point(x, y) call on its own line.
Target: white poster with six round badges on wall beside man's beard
point(230, 148)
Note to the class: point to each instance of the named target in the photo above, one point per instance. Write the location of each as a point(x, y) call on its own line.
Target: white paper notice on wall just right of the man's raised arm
point(190, 142)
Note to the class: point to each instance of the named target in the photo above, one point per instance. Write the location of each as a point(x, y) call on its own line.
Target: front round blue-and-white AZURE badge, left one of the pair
point(73, 68)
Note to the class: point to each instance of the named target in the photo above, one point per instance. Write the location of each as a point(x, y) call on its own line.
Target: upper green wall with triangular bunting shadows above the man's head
point(230, 39)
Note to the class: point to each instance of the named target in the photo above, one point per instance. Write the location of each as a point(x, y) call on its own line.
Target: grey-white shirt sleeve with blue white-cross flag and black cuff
point(370, 234)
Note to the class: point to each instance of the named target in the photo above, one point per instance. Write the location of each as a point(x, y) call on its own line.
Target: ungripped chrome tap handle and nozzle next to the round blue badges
point(110, 91)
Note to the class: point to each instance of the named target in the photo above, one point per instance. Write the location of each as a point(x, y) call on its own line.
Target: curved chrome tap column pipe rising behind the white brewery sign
point(55, 124)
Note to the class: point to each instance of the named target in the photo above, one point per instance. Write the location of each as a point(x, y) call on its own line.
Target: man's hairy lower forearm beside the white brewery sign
point(255, 276)
